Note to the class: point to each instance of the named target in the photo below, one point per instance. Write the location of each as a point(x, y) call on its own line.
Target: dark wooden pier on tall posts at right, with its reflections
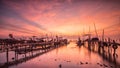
point(105, 49)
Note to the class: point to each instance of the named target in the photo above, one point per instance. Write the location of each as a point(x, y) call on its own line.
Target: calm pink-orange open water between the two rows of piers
point(70, 56)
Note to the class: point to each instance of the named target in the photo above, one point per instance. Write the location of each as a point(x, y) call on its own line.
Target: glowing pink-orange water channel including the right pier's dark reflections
point(71, 56)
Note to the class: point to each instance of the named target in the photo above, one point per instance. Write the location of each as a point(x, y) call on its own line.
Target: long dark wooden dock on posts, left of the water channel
point(24, 48)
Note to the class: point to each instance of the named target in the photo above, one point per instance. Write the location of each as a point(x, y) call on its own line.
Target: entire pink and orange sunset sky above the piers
point(65, 17)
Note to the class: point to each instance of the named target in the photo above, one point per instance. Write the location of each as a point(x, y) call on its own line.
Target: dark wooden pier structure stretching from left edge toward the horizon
point(27, 46)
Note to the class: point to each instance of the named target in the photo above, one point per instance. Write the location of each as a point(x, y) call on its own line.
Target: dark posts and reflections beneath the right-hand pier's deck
point(104, 50)
